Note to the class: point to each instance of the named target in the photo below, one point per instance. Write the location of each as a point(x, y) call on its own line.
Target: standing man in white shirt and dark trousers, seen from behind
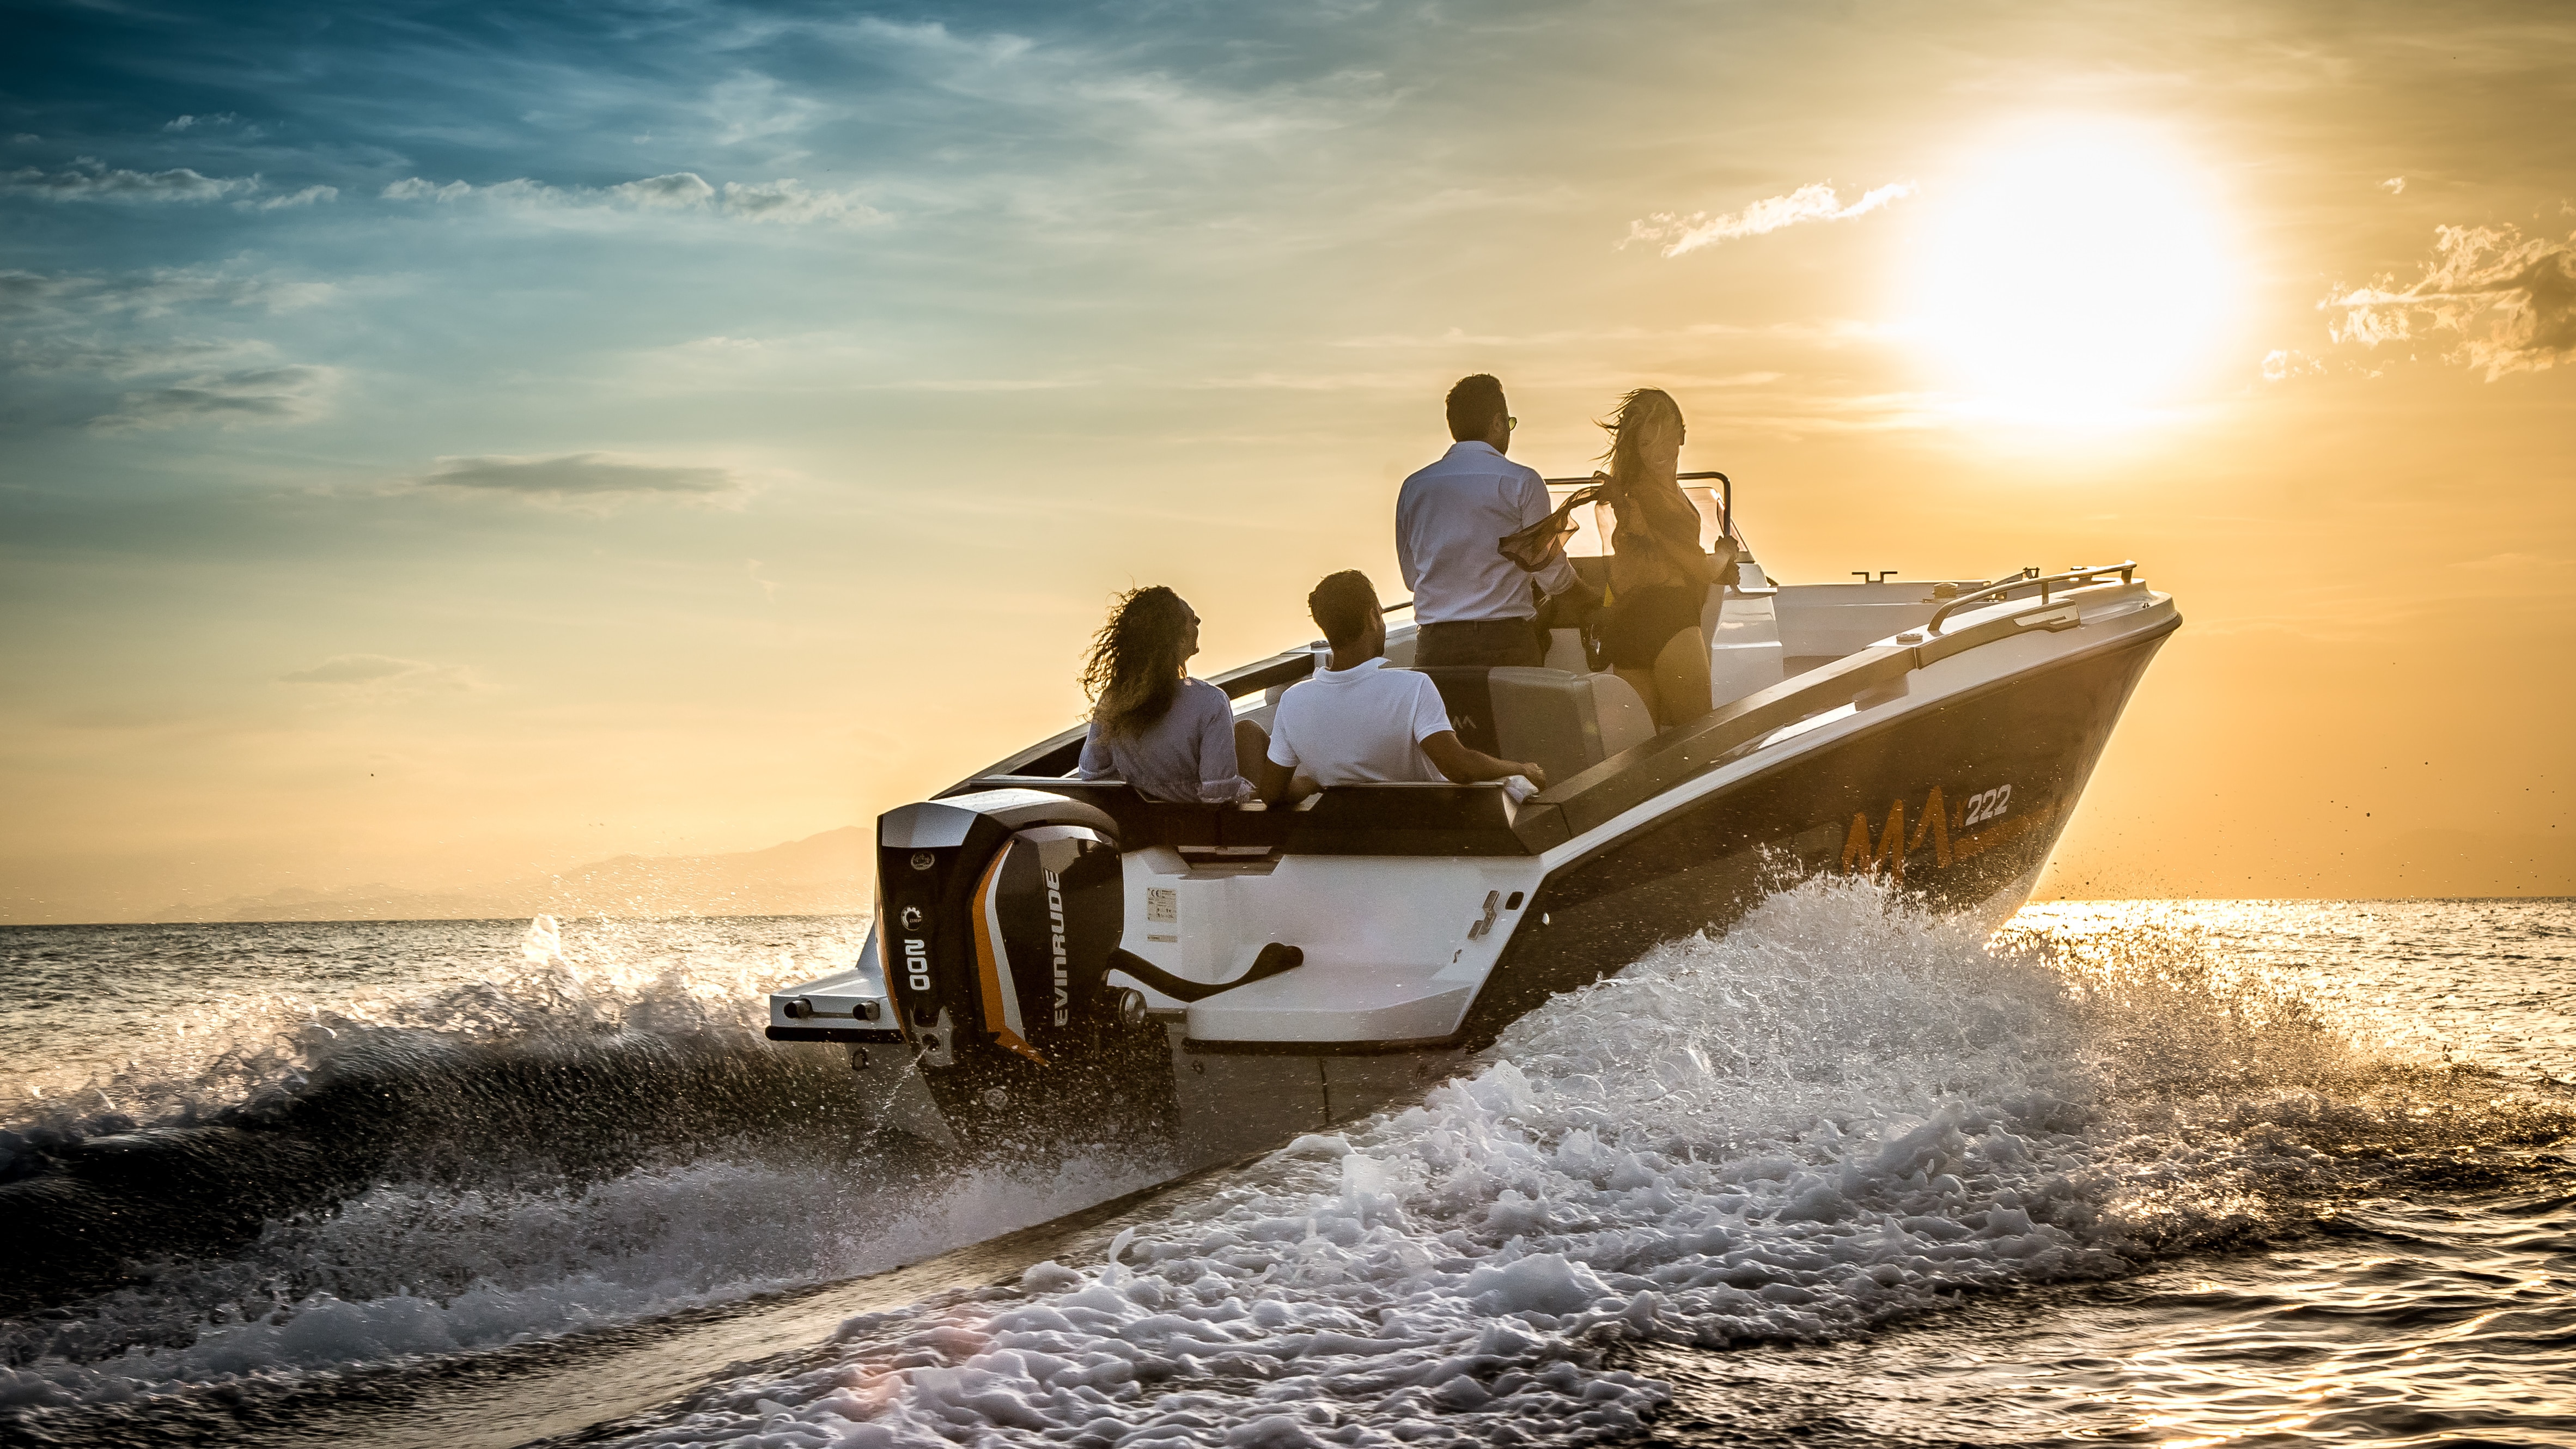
point(1470, 599)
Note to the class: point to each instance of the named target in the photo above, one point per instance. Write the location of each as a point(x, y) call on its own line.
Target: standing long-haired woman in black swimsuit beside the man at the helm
point(1658, 574)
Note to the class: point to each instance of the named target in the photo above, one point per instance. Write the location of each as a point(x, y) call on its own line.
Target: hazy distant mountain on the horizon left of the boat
point(820, 875)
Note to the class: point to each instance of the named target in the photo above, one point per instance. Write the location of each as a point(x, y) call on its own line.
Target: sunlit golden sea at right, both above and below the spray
point(2438, 1311)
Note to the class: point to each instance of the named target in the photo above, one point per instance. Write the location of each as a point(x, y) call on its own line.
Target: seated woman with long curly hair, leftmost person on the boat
point(1166, 734)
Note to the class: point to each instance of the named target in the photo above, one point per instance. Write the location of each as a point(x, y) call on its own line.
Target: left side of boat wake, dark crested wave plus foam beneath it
point(537, 1149)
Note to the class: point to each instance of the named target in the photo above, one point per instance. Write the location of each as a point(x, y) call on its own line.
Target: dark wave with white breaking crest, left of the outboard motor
point(540, 1076)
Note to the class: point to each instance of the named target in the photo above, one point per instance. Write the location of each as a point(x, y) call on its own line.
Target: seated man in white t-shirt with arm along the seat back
point(1359, 721)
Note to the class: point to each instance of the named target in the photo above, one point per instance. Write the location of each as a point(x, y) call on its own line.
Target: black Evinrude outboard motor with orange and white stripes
point(998, 919)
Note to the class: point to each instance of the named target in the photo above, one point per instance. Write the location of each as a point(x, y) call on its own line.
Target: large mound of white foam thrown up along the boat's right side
point(1835, 1115)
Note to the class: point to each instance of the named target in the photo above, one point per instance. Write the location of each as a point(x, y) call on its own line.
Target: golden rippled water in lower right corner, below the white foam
point(2400, 1327)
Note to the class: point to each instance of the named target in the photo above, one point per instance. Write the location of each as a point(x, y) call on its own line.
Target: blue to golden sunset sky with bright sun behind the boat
point(452, 442)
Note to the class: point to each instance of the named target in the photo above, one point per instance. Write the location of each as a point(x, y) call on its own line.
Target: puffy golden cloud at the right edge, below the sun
point(2510, 300)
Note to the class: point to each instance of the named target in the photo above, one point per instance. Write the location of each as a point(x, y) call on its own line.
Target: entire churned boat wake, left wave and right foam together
point(1841, 1115)
